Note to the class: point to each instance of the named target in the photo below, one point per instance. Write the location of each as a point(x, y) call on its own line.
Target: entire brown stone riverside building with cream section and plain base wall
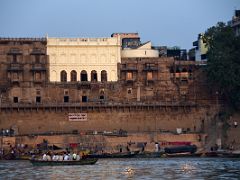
point(44, 81)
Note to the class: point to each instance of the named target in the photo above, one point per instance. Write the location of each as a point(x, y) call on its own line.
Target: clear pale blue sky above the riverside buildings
point(163, 22)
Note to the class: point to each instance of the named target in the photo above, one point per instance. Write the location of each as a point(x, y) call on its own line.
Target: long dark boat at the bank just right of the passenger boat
point(114, 155)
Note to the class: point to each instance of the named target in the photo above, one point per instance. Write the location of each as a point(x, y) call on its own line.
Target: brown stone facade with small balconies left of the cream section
point(24, 64)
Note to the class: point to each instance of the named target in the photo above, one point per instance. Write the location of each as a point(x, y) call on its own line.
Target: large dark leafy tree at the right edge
point(223, 66)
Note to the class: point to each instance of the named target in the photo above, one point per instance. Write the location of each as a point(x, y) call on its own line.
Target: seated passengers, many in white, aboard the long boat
point(63, 156)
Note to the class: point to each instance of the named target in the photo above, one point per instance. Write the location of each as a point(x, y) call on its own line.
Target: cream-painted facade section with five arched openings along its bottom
point(83, 59)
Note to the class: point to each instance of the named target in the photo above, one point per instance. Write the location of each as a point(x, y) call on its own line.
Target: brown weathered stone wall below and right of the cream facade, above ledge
point(163, 86)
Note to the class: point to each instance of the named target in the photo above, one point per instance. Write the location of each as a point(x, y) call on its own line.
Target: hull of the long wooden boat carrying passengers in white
point(86, 161)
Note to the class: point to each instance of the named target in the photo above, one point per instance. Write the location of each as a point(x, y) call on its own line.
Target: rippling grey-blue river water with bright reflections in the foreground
point(158, 168)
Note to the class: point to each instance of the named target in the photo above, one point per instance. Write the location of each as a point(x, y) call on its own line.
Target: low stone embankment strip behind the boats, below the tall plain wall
point(106, 143)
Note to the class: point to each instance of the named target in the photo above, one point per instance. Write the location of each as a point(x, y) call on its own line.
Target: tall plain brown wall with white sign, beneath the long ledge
point(147, 119)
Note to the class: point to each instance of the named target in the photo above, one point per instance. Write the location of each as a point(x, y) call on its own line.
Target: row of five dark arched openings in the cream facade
point(83, 76)
